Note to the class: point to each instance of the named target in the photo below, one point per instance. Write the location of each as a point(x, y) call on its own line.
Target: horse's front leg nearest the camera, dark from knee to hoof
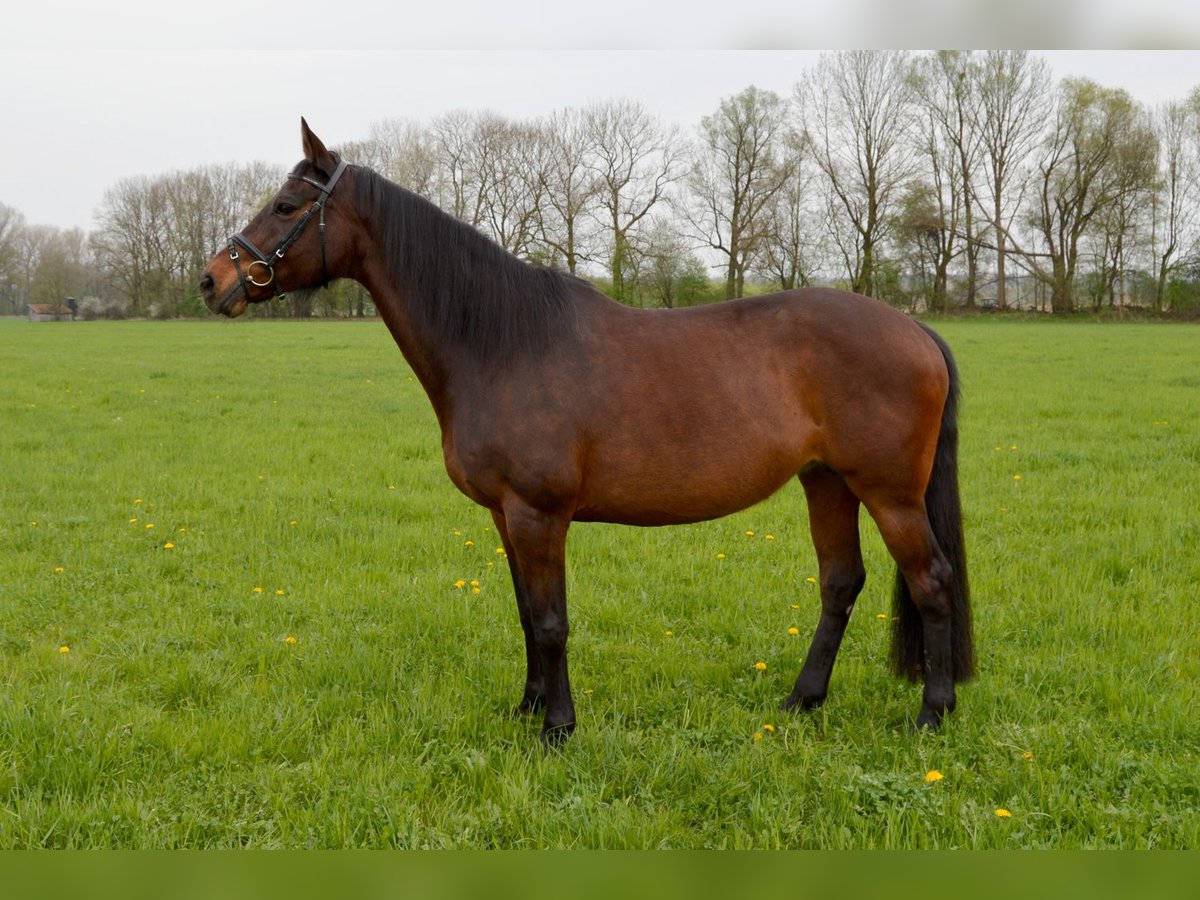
point(537, 547)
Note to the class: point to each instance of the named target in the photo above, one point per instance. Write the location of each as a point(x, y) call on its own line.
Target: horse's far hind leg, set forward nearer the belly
point(833, 520)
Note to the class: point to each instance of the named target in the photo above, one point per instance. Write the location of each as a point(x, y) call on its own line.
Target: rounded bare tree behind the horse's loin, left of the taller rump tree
point(740, 169)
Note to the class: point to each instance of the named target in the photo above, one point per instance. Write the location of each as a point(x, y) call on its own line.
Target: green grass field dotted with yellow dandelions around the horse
point(230, 617)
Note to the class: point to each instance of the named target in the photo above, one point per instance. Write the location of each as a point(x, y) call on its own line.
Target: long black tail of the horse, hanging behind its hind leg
point(946, 519)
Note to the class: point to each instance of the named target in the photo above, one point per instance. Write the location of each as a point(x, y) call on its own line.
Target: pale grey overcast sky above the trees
point(89, 97)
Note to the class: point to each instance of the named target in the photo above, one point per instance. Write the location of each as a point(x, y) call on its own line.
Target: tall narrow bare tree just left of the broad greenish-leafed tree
point(1013, 99)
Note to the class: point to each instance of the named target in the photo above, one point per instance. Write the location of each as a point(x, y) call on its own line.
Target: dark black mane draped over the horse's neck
point(471, 291)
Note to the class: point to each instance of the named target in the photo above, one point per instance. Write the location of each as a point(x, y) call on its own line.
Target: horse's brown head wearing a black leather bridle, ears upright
point(295, 243)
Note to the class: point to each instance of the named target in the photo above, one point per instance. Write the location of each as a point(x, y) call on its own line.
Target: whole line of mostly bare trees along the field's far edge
point(933, 182)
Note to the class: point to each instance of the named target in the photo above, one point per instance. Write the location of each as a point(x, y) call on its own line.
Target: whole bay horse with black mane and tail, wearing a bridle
point(559, 405)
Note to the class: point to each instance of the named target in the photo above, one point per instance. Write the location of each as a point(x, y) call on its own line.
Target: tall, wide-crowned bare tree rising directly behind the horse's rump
point(856, 105)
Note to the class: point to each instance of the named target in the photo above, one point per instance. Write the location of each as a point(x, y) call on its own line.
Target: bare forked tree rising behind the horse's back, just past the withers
point(637, 159)
